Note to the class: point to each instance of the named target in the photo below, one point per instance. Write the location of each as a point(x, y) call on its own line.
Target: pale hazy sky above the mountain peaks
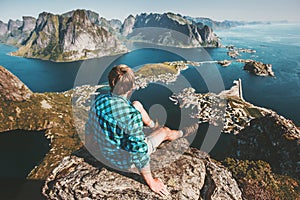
point(238, 10)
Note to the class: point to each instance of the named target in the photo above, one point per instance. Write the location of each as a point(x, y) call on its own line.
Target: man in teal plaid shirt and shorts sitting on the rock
point(117, 126)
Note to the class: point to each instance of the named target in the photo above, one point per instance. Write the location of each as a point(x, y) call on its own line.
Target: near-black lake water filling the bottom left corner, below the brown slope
point(20, 152)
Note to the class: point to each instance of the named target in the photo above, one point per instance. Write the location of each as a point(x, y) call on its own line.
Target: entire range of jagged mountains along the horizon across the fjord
point(82, 34)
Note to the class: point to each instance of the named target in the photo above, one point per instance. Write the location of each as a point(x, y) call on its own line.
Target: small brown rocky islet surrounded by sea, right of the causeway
point(259, 68)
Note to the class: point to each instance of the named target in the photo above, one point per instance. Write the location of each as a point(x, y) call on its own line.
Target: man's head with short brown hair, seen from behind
point(121, 79)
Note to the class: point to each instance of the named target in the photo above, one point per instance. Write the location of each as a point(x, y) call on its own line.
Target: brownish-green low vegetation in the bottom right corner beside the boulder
point(258, 181)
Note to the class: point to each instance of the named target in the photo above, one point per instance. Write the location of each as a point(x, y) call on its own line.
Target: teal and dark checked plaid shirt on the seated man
point(117, 127)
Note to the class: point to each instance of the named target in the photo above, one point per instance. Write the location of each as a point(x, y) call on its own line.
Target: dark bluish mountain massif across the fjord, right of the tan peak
point(168, 29)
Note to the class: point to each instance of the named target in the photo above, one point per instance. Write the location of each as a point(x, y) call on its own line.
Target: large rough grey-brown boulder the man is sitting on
point(192, 175)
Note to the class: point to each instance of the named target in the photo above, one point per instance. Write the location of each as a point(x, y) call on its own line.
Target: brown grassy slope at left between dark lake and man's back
point(51, 112)
